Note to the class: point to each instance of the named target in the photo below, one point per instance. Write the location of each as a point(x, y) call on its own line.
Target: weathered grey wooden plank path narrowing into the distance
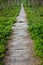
point(20, 46)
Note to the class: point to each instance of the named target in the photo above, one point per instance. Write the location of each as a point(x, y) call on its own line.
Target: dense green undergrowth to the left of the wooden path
point(7, 18)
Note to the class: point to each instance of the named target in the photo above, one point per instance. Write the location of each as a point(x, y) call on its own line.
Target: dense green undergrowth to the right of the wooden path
point(35, 25)
